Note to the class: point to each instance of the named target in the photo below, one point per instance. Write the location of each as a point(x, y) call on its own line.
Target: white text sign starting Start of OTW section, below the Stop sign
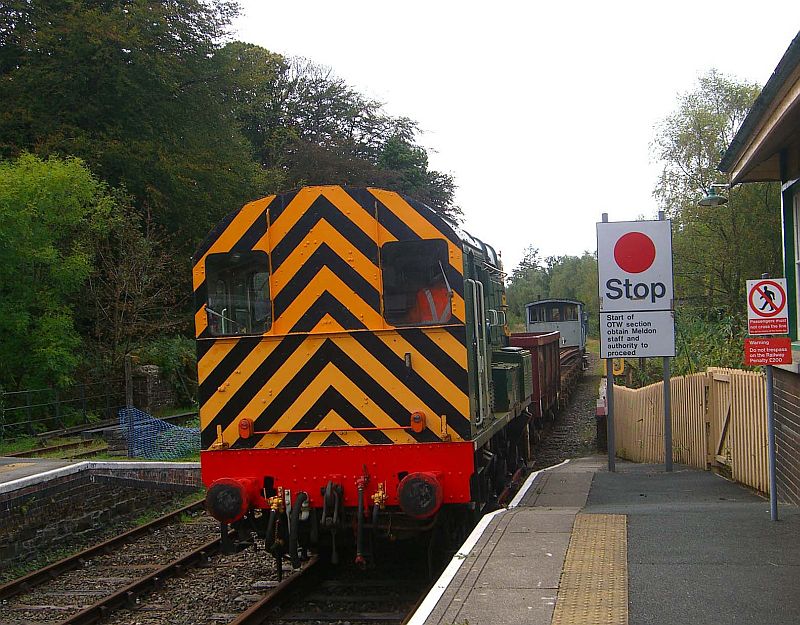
point(642, 334)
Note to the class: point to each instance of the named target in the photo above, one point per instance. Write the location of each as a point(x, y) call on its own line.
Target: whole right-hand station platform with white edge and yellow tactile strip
point(582, 545)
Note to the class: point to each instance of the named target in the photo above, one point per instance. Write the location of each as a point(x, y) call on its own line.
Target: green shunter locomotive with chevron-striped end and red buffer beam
point(355, 374)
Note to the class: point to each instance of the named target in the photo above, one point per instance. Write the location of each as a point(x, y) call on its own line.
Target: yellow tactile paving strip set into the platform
point(594, 582)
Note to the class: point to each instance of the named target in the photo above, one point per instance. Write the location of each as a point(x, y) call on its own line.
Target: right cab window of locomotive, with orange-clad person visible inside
point(416, 289)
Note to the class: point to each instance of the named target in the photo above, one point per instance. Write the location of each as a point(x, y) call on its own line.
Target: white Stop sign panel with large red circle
point(634, 262)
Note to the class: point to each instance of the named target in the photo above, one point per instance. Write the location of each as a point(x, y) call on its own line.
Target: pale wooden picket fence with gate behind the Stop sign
point(719, 418)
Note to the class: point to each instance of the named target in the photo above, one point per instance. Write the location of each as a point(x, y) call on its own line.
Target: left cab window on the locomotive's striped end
point(238, 293)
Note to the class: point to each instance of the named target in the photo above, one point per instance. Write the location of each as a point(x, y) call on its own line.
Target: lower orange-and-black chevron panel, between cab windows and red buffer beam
point(346, 380)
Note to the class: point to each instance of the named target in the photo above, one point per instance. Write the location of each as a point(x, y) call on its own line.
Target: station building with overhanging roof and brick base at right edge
point(767, 148)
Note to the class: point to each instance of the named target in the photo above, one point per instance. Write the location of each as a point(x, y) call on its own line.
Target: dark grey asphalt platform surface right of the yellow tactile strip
point(702, 549)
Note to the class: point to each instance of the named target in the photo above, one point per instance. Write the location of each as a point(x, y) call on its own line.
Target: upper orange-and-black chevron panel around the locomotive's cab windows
point(324, 253)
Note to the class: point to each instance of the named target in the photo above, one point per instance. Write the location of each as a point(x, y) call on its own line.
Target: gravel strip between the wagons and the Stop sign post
point(573, 433)
